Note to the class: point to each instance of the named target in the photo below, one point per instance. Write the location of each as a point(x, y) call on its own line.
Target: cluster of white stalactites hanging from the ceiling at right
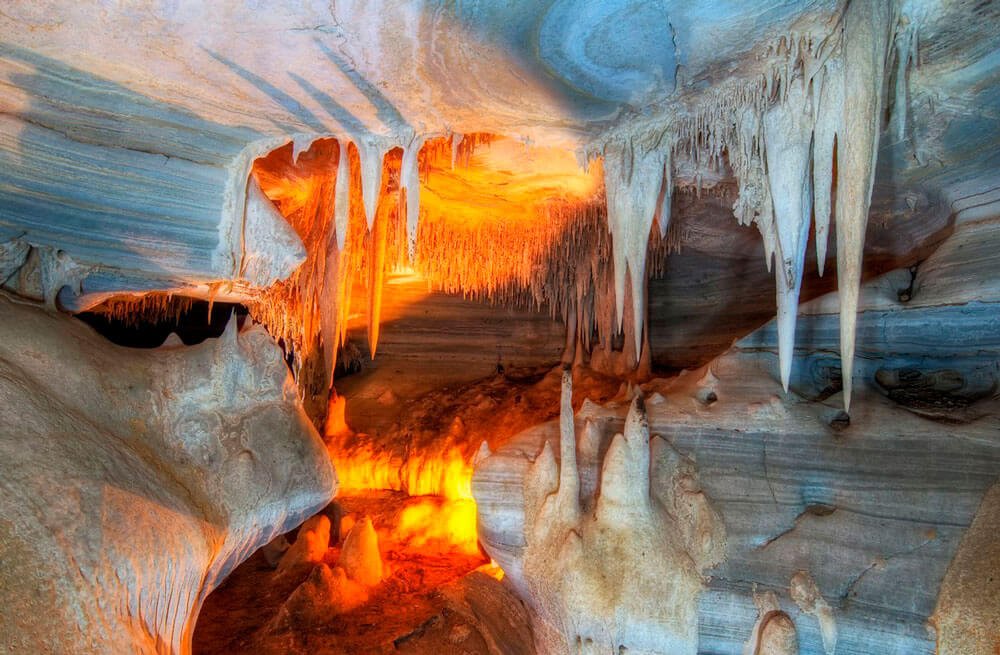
point(815, 113)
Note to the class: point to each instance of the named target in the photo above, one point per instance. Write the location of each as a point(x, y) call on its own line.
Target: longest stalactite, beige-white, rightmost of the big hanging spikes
point(867, 26)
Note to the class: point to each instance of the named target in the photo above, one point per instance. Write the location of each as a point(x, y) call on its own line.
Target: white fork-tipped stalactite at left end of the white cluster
point(632, 177)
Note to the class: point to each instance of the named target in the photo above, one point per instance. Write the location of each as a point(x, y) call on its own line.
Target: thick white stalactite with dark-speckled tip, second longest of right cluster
point(788, 138)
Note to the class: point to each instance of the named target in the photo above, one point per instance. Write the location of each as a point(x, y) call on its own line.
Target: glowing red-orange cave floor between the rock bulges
point(436, 596)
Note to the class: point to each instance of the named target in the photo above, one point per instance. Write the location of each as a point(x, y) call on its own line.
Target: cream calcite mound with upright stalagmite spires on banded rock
point(618, 567)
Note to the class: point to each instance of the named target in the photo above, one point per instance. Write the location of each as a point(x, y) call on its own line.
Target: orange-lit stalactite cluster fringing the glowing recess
point(560, 260)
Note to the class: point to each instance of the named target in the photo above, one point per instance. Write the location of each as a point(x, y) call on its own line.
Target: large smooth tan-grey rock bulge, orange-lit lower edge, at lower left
point(132, 482)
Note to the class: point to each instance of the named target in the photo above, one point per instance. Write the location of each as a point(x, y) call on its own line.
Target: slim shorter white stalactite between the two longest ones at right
point(828, 100)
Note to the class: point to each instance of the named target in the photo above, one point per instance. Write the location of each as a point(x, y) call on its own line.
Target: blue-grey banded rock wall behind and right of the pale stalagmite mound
point(851, 521)
